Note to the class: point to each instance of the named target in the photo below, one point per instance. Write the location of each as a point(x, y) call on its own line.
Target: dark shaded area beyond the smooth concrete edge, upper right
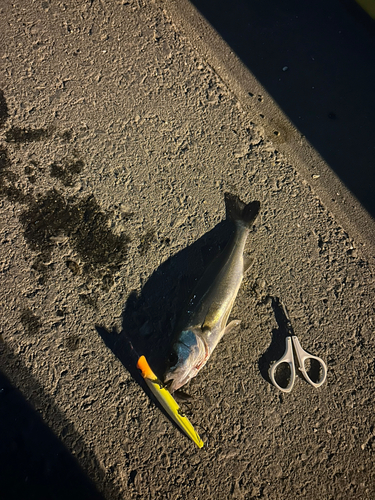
point(317, 60)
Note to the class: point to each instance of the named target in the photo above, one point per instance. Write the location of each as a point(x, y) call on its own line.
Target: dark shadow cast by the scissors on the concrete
point(278, 342)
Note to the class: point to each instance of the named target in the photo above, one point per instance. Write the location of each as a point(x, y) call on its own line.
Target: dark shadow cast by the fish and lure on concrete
point(148, 318)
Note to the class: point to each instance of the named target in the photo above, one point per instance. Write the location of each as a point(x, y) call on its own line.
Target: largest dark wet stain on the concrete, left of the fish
point(86, 226)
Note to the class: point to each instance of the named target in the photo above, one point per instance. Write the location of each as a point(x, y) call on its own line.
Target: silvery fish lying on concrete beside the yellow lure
point(203, 321)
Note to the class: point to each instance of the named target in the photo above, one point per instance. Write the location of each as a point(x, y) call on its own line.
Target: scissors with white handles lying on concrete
point(293, 349)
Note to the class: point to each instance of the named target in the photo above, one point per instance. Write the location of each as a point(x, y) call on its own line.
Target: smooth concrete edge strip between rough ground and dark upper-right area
point(254, 99)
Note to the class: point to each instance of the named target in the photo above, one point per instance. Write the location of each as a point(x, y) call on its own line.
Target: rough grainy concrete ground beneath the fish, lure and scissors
point(118, 141)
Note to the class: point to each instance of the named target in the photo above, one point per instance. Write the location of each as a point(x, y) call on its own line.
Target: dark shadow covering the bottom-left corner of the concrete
point(36, 463)
